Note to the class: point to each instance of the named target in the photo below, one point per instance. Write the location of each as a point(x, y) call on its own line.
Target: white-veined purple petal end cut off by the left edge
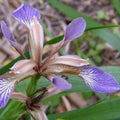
point(6, 89)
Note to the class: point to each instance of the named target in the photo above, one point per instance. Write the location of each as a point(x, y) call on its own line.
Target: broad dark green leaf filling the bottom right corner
point(104, 110)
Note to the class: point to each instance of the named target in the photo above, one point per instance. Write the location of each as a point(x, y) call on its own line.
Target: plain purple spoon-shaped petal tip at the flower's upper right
point(75, 29)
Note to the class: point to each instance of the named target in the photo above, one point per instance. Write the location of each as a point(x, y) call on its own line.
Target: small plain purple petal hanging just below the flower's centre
point(60, 83)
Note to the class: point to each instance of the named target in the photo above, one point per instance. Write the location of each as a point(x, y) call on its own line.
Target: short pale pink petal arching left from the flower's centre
point(23, 66)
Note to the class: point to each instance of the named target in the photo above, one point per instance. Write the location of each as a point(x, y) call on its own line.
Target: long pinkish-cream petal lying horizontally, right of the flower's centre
point(71, 60)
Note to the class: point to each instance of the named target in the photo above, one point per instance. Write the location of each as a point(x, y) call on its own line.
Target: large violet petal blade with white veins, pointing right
point(99, 80)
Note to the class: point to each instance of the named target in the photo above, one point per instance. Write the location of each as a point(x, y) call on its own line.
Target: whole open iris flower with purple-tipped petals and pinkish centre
point(51, 66)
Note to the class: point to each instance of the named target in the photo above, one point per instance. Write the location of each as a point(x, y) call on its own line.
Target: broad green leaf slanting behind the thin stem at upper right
point(104, 34)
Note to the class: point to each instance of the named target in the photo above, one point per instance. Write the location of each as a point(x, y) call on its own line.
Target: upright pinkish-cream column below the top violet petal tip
point(36, 39)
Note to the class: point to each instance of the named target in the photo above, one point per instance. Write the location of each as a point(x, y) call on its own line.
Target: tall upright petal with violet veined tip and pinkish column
point(30, 16)
